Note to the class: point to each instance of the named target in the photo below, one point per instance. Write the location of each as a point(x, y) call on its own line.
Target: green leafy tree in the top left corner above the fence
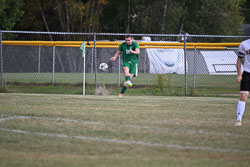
point(10, 13)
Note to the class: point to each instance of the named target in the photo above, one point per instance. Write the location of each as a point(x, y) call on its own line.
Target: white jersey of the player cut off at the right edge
point(244, 52)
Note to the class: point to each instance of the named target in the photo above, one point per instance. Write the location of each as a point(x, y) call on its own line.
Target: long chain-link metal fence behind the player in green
point(191, 65)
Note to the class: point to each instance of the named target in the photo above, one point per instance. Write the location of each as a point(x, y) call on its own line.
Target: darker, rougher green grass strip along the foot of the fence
point(154, 90)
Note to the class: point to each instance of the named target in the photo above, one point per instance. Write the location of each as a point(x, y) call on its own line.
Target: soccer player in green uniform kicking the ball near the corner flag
point(130, 51)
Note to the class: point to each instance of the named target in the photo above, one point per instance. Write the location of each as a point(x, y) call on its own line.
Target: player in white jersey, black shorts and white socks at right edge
point(243, 79)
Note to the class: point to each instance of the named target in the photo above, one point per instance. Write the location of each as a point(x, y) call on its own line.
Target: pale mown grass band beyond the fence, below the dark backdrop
point(112, 78)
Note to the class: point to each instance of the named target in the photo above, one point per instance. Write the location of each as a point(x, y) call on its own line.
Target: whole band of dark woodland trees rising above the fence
point(130, 16)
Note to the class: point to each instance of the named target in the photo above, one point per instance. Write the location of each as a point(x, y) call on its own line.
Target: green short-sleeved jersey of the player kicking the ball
point(127, 56)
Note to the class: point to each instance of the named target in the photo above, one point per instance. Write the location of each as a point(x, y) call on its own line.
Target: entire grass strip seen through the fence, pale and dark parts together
point(144, 84)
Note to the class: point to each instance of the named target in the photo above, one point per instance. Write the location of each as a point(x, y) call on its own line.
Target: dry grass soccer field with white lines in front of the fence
point(71, 130)
